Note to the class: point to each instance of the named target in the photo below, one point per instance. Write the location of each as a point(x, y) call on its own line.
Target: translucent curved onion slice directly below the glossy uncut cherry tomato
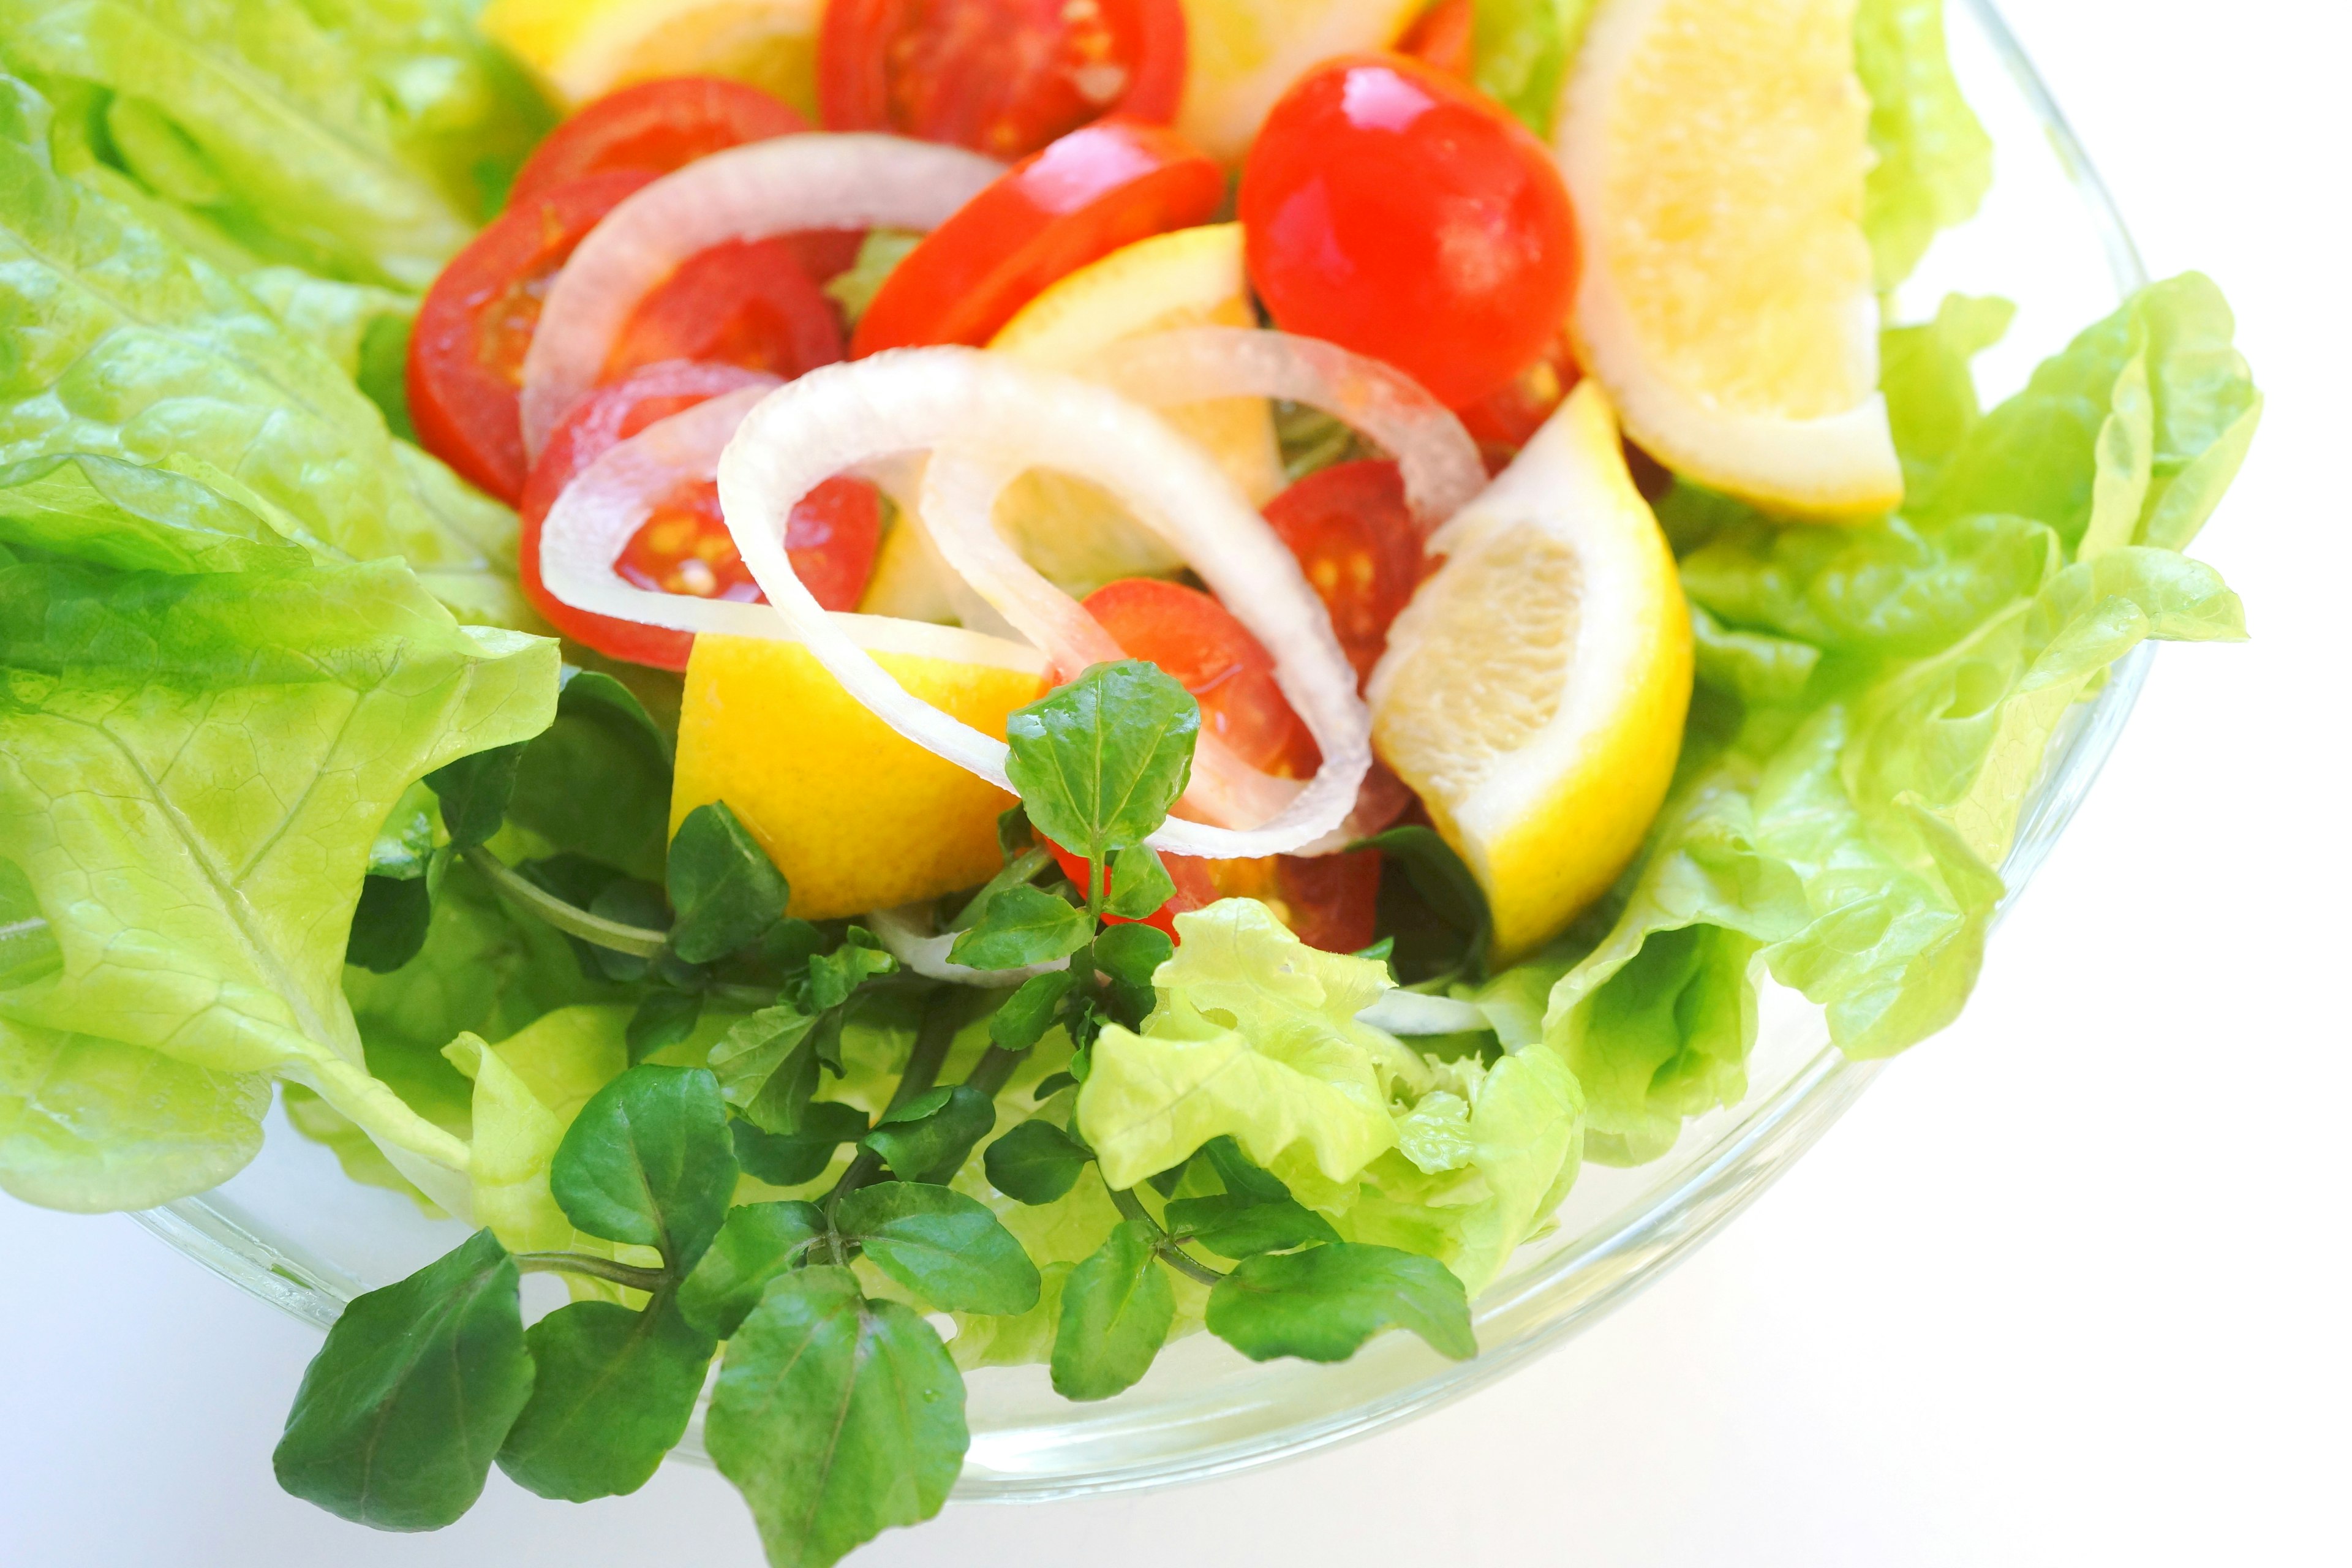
point(1434, 453)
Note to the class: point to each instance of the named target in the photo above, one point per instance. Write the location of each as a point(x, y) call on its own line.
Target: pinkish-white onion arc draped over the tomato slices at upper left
point(744, 194)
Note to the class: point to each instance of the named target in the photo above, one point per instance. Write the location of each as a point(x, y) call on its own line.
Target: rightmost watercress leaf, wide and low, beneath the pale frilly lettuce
point(1328, 1301)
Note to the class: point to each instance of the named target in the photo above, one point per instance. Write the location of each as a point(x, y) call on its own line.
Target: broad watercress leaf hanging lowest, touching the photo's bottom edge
point(836, 1416)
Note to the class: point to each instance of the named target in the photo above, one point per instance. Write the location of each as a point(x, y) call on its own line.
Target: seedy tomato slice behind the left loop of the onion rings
point(686, 547)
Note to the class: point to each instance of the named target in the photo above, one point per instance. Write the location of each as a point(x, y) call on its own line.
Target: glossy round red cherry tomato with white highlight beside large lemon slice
point(1398, 213)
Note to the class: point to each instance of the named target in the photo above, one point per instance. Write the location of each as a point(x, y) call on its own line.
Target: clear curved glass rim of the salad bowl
point(1532, 1313)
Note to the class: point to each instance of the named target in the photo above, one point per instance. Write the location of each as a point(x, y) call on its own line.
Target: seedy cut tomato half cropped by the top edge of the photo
point(998, 76)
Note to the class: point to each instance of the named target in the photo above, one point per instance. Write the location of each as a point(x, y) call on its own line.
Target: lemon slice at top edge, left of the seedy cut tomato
point(587, 48)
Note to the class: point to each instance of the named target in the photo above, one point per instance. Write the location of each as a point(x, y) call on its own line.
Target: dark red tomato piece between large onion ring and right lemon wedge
point(1354, 537)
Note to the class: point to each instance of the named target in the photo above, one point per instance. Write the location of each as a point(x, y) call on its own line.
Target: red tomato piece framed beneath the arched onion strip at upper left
point(744, 302)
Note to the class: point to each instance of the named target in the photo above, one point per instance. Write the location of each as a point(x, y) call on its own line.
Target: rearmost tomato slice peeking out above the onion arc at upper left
point(655, 126)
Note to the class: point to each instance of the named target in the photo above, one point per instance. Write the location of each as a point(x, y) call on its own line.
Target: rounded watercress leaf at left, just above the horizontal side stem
point(650, 1160)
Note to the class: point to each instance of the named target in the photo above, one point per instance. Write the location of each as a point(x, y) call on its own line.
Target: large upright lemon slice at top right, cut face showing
point(1716, 154)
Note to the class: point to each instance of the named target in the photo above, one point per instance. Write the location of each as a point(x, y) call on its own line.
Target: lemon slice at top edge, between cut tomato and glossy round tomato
point(1241, 55)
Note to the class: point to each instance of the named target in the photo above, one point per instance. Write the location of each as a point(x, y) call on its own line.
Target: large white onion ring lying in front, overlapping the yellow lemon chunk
point(923, 398)
